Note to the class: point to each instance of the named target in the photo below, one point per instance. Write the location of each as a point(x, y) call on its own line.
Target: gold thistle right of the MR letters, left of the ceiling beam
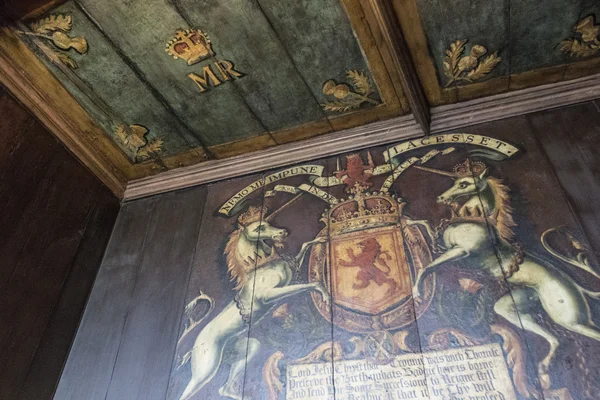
point(348, 99)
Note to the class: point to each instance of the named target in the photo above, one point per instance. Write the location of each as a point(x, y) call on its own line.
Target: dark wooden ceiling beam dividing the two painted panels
point(386, 17)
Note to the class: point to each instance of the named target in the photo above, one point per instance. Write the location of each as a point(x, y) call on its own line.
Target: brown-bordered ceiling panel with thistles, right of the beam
point(463, 49)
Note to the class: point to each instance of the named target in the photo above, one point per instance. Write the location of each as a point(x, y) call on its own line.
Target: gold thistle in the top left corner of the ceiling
point(54, 28)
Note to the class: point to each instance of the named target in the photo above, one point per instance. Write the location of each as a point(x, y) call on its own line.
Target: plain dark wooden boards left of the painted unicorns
point(125, 345)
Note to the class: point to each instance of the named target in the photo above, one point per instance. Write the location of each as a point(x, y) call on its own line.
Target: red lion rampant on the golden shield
point(369, 272)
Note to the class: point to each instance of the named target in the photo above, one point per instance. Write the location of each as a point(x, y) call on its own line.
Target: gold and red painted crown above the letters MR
point(191, 45)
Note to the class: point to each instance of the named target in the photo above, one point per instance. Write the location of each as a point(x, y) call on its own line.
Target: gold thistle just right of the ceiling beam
point(469, 68)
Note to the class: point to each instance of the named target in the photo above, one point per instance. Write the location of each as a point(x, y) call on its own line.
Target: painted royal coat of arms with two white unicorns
point(428, 269)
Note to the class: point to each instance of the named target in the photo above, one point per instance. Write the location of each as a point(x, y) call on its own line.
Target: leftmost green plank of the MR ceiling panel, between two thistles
point(111, 91)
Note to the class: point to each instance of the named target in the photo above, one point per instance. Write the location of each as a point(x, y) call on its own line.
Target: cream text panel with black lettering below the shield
point(467, 373)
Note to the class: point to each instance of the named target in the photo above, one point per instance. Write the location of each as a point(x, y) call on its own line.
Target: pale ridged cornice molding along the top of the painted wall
point(444, 118)
